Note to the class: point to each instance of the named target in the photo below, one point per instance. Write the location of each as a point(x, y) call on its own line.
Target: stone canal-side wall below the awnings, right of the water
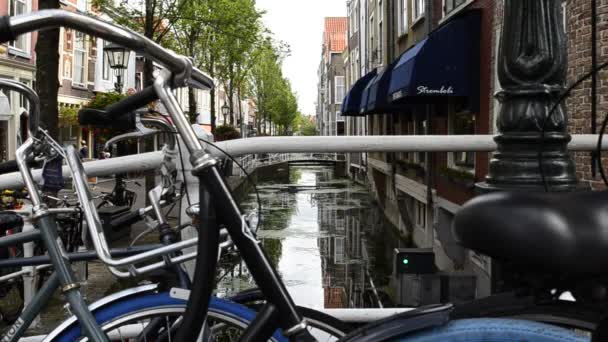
point(426, 219)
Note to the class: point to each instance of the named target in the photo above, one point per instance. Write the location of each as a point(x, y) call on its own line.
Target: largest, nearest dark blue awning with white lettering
point(445, 64)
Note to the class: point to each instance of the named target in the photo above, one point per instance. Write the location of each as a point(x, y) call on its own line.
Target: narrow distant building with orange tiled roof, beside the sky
point(332, 86)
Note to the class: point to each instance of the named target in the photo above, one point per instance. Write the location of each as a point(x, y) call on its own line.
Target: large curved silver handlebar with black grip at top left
point(181, 67)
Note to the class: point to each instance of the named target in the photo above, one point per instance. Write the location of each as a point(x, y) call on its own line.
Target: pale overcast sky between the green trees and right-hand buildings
point(300, 24)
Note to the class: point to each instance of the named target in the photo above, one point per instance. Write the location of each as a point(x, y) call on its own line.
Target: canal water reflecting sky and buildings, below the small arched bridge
point(328, 239)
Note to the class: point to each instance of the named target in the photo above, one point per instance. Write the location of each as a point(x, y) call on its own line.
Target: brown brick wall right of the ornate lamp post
point(578, 29)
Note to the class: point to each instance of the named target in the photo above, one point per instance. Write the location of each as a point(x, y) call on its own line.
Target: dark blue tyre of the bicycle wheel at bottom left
point(145, 306)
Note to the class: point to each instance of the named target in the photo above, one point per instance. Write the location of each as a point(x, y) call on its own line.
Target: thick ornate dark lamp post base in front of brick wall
point(532, 74)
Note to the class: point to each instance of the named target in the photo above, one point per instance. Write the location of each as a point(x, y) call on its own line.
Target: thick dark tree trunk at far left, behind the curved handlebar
point(47, 69)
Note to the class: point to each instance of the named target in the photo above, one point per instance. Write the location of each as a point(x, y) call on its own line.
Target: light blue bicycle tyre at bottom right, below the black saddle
point(494, 330)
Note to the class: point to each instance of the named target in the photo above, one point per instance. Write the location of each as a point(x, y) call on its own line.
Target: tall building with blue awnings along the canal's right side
point(420, 192)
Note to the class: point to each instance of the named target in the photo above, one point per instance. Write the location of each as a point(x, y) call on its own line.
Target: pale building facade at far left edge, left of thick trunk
point(17, 62)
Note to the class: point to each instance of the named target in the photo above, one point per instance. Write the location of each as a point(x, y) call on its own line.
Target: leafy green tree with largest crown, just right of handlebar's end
point(220, 36)
